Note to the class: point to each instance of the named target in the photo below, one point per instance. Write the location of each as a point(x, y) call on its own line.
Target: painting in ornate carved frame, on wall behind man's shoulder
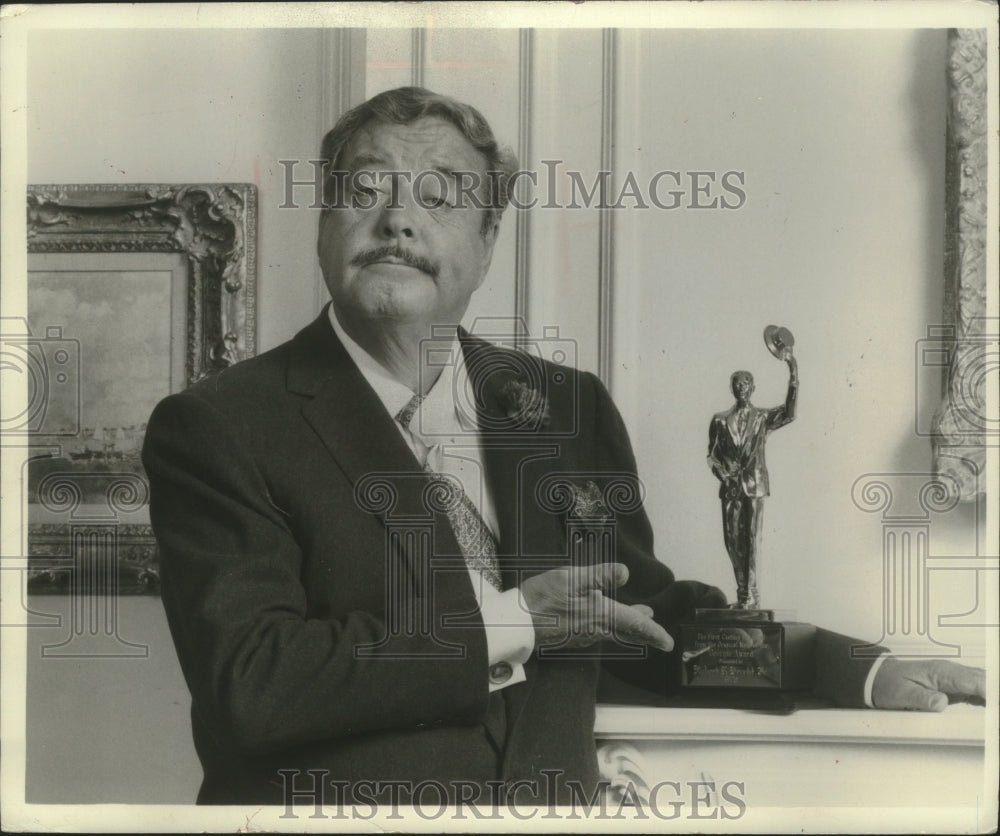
point(134, 292)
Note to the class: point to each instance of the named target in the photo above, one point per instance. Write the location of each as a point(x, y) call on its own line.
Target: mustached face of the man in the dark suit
point(409, 250)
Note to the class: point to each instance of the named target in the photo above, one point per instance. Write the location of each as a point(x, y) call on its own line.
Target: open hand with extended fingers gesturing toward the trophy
point(569, 609)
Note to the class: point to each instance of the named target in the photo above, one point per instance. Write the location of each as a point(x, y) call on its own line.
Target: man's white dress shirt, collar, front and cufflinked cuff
point(442, 437)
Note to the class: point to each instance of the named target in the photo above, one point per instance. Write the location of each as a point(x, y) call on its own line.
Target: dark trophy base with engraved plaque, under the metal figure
point(745, 651)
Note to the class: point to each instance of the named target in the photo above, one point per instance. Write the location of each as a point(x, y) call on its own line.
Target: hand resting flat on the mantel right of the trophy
point(927, 685)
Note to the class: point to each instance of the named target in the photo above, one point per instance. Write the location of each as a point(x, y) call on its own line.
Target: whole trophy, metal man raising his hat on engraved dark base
point(736, 652)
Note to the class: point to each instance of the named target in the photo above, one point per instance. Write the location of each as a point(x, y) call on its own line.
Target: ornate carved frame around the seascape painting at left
point(214, 227)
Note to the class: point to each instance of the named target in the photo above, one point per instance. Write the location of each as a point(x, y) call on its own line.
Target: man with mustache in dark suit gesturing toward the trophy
point(390, 550)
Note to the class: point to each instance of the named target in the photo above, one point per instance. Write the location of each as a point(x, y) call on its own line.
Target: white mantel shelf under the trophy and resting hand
point(958, 725)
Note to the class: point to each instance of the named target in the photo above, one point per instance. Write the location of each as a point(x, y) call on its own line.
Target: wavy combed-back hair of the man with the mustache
point(407, 104)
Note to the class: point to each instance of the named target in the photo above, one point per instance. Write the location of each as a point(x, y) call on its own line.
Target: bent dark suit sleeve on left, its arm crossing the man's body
point(264, 674)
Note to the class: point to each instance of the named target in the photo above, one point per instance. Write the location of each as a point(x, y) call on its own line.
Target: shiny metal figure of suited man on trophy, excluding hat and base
point(736, 440)
